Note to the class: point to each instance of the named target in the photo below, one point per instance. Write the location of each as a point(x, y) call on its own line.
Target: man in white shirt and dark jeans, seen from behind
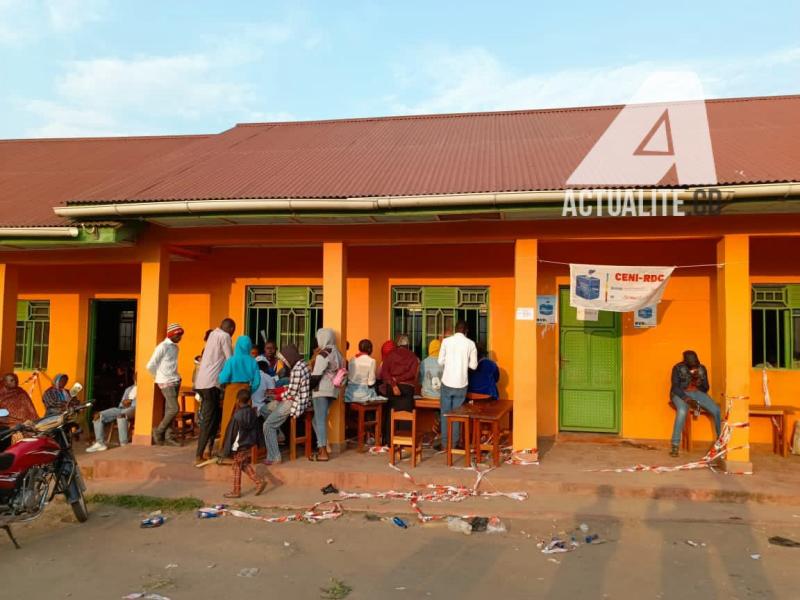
point(457, 355)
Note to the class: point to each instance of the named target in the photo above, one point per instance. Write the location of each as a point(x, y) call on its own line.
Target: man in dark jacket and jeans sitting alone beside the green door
point(690, 390)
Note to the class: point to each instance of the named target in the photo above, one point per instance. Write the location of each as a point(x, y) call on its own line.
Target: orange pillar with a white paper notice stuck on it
point(526, 254)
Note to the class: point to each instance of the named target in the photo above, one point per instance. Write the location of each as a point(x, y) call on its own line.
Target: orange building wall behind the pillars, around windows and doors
point(206, 290)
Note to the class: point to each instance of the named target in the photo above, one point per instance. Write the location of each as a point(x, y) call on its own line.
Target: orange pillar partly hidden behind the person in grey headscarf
point(334, 316)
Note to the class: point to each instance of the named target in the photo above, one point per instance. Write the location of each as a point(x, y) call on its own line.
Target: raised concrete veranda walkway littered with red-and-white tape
point(565, 474)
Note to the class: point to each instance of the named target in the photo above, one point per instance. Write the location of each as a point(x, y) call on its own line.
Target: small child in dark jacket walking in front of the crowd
point(242, 435)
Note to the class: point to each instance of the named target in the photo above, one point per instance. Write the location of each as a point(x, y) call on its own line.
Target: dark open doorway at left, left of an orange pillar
point(111, 351)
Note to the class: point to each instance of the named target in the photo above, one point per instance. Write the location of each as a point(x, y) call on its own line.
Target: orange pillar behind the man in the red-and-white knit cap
point(151, 328)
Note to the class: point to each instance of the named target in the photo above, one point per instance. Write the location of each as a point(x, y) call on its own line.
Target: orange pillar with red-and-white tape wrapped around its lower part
point(734, 341)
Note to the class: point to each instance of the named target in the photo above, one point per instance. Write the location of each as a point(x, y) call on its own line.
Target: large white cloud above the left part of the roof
point(160, 94)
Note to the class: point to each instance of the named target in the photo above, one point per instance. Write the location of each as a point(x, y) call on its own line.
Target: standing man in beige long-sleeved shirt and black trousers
point(218, 349)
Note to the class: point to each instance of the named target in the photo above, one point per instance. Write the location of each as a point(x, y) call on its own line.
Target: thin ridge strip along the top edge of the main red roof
point(519, 111)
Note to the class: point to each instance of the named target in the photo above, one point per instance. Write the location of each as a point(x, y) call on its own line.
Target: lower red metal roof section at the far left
point(36, 175)
